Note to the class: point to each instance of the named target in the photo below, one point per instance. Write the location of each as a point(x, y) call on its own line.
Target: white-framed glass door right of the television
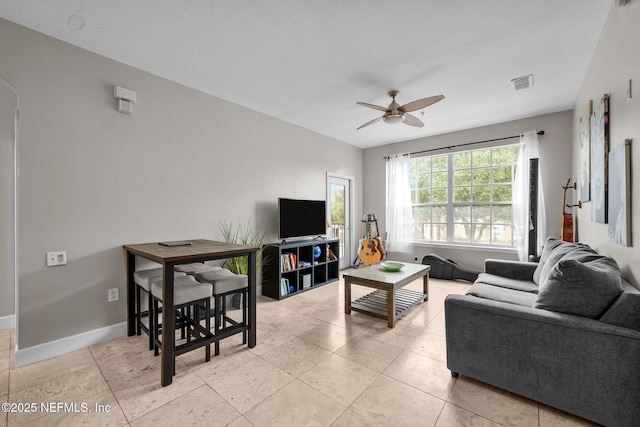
point(340, 216)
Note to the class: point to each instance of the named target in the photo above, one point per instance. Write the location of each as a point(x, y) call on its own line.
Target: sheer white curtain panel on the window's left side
point(399, 215)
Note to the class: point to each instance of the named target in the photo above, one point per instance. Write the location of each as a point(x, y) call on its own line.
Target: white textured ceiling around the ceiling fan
point(308, 61)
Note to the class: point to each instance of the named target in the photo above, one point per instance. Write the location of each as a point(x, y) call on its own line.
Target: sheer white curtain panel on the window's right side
point(521, 220)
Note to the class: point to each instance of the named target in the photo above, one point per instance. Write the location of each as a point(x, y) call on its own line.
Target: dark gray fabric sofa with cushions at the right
point(564, 332)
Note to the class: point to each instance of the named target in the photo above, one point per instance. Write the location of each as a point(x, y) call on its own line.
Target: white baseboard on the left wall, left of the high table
point(51, 349)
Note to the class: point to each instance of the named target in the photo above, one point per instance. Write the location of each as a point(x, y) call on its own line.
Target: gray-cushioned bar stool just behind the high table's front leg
point(190, 299)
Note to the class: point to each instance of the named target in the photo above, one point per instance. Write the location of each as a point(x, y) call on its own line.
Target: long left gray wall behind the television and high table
point(93, 179)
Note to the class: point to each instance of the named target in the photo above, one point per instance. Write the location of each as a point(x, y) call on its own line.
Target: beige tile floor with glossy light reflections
point(313, 365)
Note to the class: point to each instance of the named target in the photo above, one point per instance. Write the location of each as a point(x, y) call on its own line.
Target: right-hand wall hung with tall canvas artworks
point(615, 61)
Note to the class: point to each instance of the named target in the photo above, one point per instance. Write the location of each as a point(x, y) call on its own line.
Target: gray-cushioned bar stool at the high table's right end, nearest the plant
point(226, 283)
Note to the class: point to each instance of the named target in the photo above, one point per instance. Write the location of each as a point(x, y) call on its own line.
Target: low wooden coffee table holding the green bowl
point(389, 301)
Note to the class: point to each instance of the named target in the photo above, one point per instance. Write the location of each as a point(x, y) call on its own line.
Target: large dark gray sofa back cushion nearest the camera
point(582, 288)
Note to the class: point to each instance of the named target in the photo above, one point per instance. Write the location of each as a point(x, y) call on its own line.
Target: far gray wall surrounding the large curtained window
point(555, 169)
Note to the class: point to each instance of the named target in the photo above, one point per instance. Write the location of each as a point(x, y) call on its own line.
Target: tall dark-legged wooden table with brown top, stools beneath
point(199, 251)
